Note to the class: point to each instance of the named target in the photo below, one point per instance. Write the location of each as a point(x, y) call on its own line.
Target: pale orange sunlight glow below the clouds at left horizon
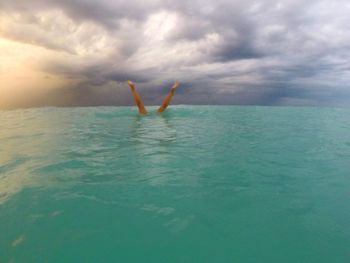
point(21, 75)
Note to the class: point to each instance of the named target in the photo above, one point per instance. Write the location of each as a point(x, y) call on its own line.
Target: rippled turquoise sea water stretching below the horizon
point(195, 184)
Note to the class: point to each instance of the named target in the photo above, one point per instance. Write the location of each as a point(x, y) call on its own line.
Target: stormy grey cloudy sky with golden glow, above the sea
point(81, 52)
